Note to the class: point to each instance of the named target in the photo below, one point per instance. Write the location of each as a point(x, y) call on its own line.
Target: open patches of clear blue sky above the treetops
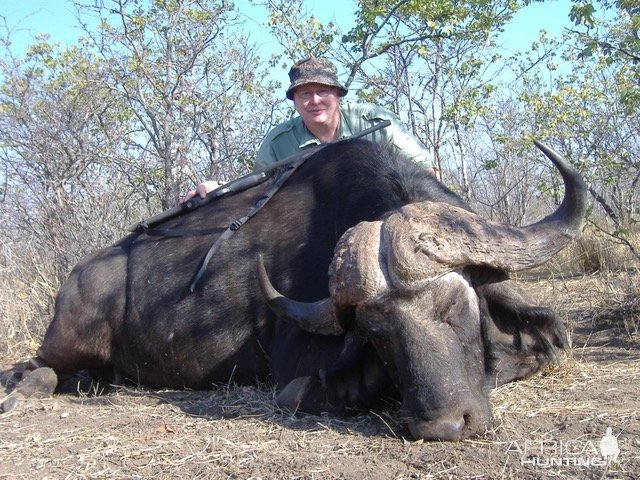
point(30, 17)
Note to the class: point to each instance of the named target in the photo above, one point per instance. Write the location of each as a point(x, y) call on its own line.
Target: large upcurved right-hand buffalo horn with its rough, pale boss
point(425, 239)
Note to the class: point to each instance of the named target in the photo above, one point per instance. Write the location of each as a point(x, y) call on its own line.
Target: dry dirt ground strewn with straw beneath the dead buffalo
point(550, 426)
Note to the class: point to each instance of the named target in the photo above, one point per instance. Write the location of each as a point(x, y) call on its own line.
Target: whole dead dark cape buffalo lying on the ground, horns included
point(362, 280)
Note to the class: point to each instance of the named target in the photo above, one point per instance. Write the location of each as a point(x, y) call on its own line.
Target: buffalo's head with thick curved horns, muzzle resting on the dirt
point(409, 285)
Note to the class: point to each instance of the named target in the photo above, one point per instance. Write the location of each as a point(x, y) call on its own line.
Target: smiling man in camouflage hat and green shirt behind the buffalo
point(323, 118)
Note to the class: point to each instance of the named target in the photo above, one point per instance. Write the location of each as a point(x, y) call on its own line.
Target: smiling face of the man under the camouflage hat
point(317, 104)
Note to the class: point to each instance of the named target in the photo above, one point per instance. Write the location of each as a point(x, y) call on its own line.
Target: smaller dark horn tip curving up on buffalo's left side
point(315, 317)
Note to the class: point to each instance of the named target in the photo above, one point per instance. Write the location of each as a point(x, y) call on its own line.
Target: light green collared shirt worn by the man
point(292, 136)
